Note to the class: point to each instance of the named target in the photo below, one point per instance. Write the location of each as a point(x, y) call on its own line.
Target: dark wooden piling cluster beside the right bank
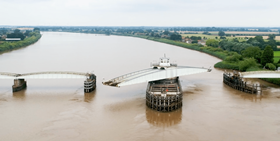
point(237, 83)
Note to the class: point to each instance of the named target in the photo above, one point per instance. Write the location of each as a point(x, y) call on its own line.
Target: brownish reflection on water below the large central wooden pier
point(163, 119)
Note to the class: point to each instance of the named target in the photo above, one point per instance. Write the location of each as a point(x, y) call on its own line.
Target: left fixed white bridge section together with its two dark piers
point(20, 83)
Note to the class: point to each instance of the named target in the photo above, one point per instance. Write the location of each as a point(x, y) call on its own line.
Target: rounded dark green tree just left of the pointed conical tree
point(252, 52)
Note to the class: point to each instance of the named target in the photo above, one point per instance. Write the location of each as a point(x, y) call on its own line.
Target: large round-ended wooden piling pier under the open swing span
point(164, 95)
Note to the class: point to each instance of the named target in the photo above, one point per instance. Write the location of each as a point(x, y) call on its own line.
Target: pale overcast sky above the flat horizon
point(264, 13)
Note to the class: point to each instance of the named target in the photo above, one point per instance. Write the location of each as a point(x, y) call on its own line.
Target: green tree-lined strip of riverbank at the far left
point(9, 46)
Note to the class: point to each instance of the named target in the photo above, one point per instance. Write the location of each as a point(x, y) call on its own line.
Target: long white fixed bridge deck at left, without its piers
point(45, 75)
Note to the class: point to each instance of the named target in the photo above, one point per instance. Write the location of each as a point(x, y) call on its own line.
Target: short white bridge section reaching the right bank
point(260, 74)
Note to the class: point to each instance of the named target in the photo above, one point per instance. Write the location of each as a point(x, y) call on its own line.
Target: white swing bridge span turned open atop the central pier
point(153, 74)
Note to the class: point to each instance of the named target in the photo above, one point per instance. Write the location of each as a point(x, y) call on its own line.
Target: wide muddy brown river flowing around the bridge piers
point(59, 110)
